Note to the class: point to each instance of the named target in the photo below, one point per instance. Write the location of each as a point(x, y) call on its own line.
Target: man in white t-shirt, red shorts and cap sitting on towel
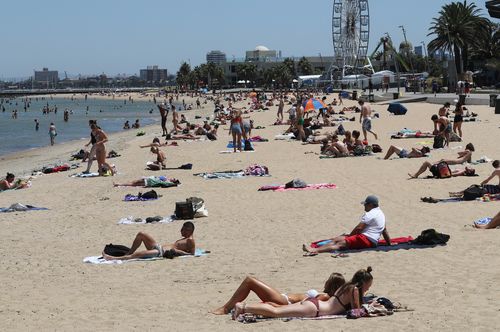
point(365, 235)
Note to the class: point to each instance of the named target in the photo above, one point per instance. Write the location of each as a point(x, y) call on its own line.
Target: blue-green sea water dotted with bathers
point(20, 134)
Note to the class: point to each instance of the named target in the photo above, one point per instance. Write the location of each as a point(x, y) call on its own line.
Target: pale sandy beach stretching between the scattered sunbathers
point(46, 286)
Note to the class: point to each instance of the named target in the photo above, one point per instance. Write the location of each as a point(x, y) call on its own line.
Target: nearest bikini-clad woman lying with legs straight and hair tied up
point(349, 296)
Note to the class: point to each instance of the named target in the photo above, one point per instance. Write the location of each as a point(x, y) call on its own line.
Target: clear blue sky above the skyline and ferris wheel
point(122, 36)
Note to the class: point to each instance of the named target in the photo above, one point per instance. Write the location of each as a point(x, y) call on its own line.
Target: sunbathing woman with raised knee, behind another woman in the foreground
point(272, 296)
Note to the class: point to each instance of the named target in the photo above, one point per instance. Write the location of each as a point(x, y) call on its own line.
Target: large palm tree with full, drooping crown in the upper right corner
point(457, 29)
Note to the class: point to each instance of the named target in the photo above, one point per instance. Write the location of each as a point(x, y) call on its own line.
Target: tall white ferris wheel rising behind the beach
point(350, 31)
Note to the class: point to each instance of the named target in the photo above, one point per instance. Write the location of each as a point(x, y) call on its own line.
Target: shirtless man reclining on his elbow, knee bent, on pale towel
point(182, 247)
